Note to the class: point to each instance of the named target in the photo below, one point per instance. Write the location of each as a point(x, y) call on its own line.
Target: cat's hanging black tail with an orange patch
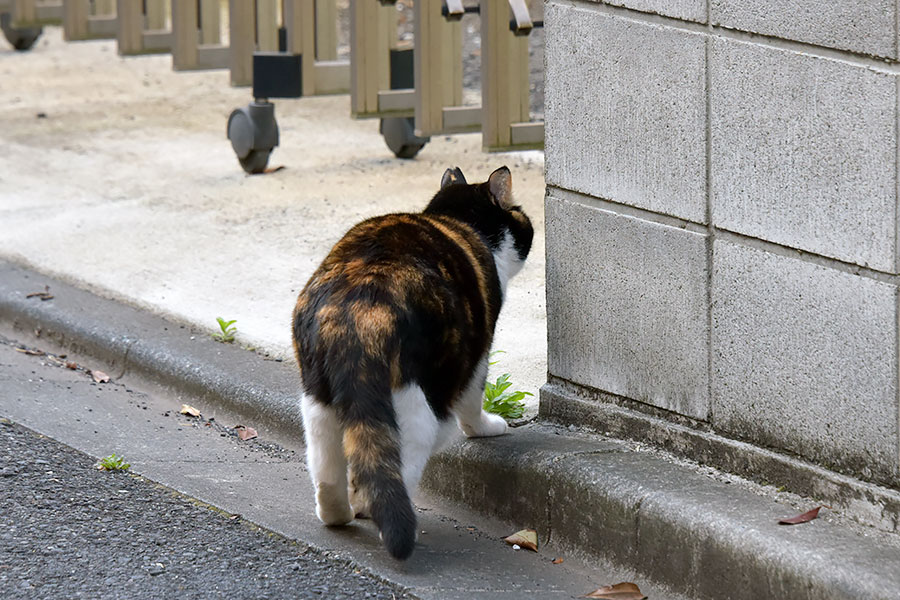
point(372, 447)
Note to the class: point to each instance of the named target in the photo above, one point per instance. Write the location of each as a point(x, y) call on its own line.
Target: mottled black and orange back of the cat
point(392, 287)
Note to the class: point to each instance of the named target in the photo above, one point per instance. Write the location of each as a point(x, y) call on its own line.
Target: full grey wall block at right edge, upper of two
point(803, 151)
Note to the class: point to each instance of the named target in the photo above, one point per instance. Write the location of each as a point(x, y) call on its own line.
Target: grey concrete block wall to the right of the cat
point(722, 223)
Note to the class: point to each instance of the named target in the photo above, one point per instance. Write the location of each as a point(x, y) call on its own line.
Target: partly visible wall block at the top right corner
point(865, 26)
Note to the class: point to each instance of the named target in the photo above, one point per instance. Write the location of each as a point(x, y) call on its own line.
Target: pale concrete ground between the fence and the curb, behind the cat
point(128, 184)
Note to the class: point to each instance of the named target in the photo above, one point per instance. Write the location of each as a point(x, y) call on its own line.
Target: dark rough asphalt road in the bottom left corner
point(69, 530)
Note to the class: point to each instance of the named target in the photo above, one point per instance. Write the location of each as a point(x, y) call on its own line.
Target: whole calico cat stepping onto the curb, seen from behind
point(392, 333)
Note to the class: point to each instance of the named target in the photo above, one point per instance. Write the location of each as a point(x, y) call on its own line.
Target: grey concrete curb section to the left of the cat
point(130, 340)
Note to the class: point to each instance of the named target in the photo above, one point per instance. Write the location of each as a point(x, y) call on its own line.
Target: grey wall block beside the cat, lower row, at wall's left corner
point(627, 306)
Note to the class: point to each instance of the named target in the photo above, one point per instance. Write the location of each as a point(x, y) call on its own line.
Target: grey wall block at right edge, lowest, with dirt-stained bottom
point(805, 360)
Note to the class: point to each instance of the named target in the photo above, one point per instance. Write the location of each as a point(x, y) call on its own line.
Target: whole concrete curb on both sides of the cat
point(700, 536)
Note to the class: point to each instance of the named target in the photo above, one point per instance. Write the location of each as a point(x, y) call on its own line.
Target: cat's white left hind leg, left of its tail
point(326, 461)
